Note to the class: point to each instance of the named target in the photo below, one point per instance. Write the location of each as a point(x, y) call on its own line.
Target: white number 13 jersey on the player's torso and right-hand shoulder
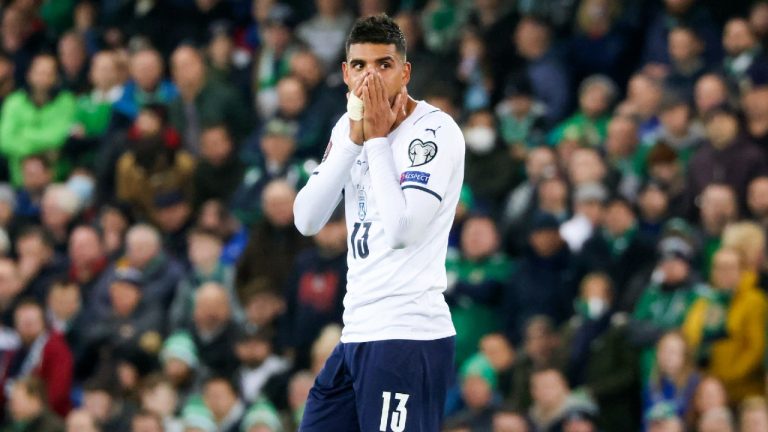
point(398, 293)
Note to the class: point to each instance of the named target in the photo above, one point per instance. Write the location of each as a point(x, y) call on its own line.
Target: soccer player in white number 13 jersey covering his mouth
point(399, 167)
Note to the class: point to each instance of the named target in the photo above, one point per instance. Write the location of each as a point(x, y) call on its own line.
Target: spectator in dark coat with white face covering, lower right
point(600, 359)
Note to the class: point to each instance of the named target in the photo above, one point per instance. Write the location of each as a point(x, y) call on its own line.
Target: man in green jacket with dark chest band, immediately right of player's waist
point(477, 274)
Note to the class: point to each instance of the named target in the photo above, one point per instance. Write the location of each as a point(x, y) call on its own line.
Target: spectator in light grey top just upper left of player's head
point(326, 32)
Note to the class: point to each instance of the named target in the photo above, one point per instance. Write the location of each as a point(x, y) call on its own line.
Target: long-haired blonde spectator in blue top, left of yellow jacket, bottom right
point(673, 378)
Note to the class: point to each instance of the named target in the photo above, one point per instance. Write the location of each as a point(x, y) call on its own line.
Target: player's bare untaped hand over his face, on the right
point(379, 115)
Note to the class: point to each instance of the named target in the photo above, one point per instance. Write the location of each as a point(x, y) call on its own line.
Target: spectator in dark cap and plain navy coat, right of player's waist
point(538, 284)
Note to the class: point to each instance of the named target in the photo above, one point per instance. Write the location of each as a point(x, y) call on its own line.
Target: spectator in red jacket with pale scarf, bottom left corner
point(43, 354)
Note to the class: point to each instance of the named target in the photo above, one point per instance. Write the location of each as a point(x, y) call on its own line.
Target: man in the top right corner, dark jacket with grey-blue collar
point(742, 49)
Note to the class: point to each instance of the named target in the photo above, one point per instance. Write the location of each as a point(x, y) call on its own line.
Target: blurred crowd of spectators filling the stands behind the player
point(607, 267)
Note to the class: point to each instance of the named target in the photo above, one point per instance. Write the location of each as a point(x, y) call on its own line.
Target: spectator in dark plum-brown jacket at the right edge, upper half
point(726, 157)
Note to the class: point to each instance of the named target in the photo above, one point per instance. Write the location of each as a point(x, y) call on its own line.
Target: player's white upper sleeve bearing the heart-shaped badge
point(435, 151)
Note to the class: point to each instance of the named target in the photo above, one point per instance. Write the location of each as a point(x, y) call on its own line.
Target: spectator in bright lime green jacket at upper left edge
point(36, 119)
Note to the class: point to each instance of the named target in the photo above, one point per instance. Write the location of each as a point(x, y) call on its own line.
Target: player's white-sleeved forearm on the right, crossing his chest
point(404, 220)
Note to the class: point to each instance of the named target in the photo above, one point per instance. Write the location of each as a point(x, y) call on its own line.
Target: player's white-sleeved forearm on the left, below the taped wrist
point(319, 197)
